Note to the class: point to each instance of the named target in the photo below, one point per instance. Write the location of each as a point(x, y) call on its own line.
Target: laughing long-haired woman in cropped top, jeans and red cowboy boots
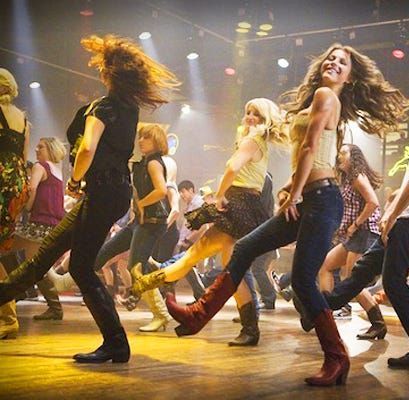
point(341, 84)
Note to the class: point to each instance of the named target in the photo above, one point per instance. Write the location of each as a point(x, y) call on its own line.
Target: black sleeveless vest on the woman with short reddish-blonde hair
point(143, 185)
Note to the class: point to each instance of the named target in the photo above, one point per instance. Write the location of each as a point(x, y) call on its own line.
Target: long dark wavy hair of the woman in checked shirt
point(358, 164)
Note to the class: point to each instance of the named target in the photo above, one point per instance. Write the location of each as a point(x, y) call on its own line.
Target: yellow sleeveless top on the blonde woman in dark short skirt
point(252, 174)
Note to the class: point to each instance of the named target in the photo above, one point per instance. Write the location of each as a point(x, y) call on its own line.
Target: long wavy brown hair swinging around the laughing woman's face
point(368, 98)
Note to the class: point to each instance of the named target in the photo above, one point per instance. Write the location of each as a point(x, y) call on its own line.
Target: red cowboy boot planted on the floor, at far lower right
point(336, 363)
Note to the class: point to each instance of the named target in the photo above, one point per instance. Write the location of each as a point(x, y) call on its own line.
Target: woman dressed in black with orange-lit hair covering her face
point(133, 80)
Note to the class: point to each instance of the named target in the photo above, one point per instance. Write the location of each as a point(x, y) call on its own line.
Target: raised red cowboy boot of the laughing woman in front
point(194, 317)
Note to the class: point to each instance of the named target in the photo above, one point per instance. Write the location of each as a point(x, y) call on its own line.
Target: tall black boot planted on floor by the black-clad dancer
point(115, 346)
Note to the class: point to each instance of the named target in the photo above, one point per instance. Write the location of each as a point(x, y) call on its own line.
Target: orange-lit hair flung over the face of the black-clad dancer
point(128, 72)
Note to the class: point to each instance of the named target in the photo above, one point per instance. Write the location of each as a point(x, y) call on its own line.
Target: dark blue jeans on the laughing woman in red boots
point(320, 215)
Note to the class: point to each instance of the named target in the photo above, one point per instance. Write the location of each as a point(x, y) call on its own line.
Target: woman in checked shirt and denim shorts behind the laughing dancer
point(358, 229)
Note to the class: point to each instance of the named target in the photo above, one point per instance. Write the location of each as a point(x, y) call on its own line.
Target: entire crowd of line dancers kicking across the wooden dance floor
point(328, 207)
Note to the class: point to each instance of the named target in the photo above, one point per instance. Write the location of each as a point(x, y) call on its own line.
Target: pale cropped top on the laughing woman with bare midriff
point(326, 154)
